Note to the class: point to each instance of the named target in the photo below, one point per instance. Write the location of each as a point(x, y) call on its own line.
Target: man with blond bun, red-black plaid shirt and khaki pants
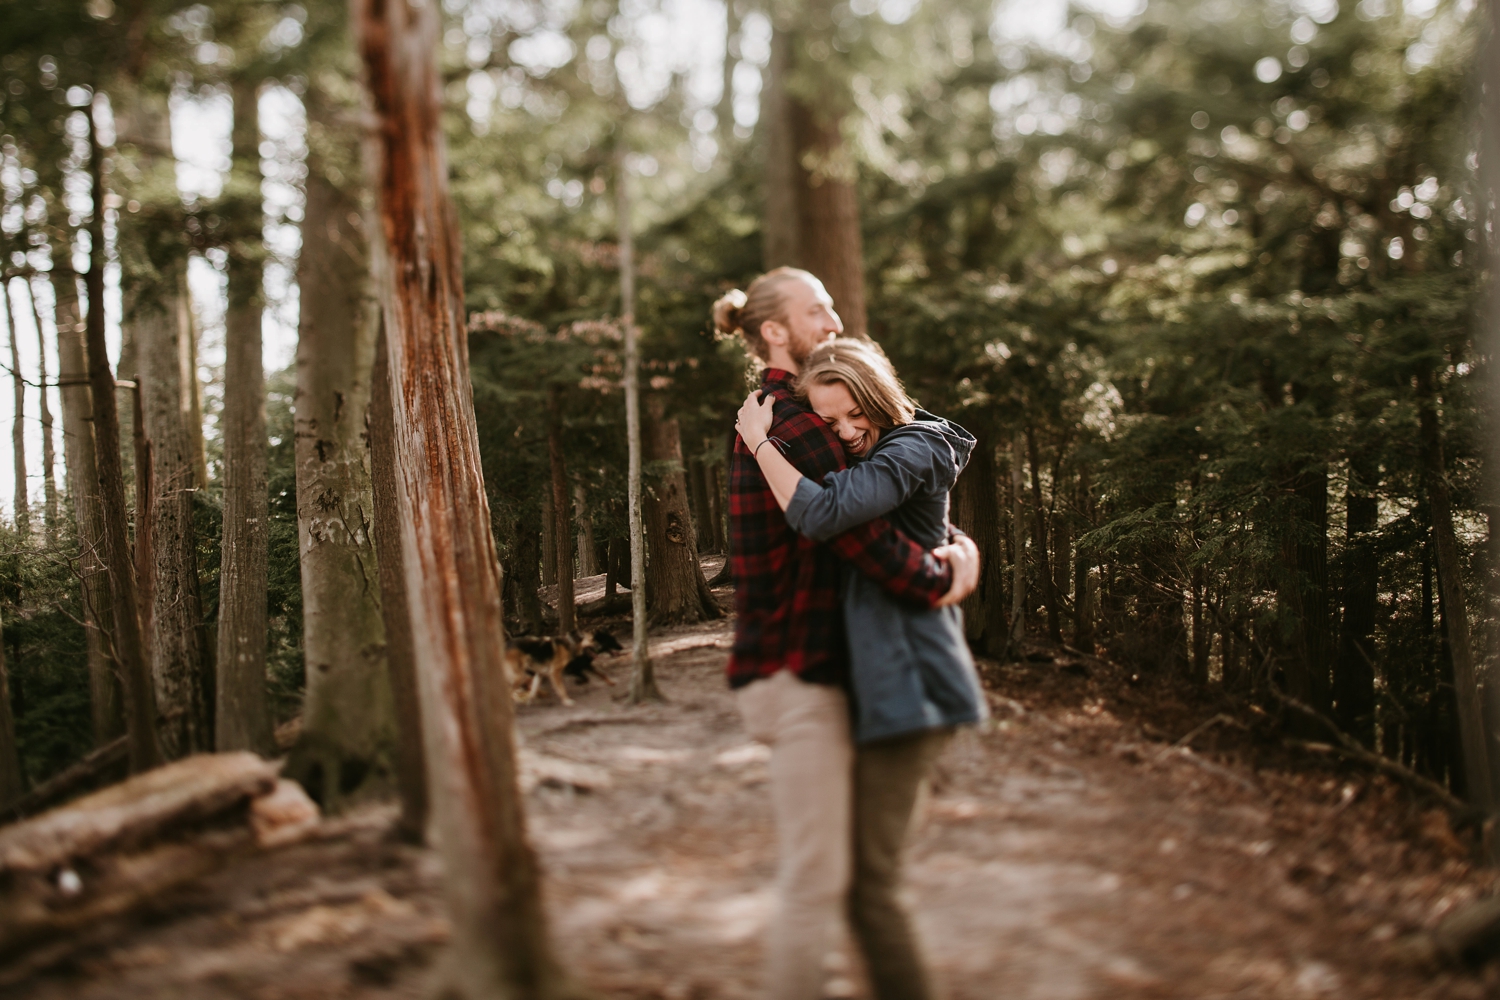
point(790, 662)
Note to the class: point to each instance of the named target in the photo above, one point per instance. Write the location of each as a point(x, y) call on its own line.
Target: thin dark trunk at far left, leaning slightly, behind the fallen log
point(136, 672)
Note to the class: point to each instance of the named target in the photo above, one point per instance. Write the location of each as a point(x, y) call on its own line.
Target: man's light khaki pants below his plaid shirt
point(812, 761)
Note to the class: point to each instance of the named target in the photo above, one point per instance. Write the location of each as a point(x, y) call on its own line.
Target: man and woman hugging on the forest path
point(850, 660)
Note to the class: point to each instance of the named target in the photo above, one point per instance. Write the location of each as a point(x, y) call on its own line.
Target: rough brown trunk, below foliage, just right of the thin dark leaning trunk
point(176, 639)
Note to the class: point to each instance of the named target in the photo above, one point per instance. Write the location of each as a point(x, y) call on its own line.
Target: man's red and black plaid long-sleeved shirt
point(787, 587)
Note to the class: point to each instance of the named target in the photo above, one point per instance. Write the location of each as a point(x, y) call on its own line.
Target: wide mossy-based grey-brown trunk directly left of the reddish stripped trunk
point(350, 731)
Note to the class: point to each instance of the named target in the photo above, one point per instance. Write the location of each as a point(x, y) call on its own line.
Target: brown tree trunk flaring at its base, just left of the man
point(676, 585)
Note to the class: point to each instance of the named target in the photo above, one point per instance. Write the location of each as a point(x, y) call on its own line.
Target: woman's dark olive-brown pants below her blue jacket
point(887, 777)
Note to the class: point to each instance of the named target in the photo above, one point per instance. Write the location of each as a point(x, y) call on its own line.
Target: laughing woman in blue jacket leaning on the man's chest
point(914, 678)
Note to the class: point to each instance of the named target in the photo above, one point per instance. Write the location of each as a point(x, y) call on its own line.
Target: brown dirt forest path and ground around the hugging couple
point(1066, 854)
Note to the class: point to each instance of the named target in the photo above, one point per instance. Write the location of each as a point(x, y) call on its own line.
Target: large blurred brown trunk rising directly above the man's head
point(812, 206)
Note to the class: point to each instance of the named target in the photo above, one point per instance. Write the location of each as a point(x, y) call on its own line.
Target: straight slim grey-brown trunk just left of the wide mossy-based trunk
point(241, 710)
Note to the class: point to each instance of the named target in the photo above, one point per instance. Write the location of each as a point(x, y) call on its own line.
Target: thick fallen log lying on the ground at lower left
point(115, 851)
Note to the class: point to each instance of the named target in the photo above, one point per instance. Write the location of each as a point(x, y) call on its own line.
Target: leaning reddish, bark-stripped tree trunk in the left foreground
point(494, 882)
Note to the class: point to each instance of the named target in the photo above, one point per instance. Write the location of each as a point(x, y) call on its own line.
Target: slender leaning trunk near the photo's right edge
point(1451, 587)
